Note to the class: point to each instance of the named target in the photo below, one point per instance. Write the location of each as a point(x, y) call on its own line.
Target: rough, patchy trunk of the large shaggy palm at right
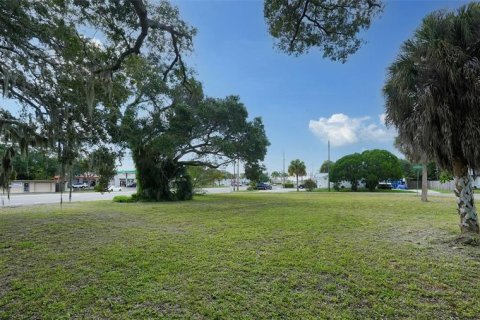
point(465, 204)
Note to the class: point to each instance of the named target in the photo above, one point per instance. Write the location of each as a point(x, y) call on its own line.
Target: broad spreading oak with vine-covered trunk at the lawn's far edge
point(186, 133)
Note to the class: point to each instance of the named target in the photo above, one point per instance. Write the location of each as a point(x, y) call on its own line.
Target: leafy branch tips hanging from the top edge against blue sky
point(332, 27)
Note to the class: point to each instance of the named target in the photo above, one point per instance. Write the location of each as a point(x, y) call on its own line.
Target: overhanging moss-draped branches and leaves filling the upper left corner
point(84, 86)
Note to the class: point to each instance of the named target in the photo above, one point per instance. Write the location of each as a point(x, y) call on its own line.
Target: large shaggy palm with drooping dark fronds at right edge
point(432, 98)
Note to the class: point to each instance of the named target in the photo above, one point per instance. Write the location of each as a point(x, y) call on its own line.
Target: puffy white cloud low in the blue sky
point(342, 130)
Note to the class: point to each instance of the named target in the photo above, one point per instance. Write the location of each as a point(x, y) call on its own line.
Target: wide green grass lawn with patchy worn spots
point(244, 256)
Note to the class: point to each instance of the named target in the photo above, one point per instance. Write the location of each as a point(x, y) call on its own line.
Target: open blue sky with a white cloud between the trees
point(297, 96)
